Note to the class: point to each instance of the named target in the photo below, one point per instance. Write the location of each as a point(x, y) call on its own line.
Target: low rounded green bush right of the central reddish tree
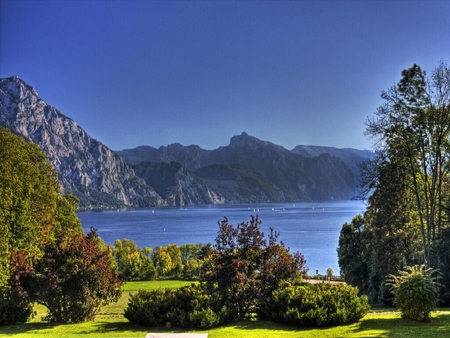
point(323, 304)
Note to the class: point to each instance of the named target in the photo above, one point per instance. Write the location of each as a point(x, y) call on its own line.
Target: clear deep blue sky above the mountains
point(199, 72)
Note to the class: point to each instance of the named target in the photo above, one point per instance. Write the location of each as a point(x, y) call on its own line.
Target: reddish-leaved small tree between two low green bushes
point(242, 268)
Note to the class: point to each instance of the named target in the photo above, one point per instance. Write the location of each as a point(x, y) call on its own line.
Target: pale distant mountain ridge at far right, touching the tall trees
point(352, 157)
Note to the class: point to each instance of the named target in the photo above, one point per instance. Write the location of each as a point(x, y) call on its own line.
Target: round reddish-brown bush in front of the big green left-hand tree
point(73, 279)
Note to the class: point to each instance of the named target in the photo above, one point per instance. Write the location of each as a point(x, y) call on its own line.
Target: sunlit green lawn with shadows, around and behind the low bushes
point(111, 323)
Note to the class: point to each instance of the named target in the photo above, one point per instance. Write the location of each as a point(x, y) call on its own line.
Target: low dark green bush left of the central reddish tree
point(185, 307)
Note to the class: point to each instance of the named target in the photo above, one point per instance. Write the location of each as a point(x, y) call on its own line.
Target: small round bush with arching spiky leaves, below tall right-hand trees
point(414, 292)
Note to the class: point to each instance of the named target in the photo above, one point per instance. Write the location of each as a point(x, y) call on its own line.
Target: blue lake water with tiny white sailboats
point(310, 228)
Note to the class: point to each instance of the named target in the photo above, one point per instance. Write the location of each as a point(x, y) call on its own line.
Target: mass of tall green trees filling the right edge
point(408, 182)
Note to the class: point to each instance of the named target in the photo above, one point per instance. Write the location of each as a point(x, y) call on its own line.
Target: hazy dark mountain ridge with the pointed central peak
point(292, 177)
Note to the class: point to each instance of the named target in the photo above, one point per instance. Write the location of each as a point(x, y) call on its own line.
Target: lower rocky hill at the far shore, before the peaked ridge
point(213, 184)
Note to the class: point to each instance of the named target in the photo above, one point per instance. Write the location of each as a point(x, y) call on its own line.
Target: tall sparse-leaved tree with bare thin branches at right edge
point(412, 127)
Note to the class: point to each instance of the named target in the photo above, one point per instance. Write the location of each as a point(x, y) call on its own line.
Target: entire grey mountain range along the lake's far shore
point(248, 170)
